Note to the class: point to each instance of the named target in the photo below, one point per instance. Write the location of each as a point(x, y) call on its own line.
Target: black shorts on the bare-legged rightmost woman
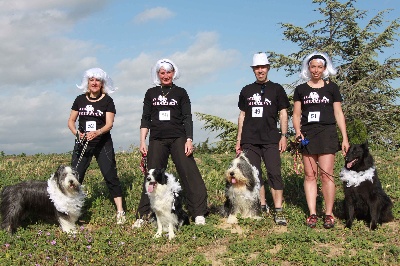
point(323, 139)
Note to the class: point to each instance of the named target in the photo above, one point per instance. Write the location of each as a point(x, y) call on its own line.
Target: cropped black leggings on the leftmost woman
point(105, 156)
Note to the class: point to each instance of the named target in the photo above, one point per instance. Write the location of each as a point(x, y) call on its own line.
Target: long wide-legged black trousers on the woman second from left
point(193, 185)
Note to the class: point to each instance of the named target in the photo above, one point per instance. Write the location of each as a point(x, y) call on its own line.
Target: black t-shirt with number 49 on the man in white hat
point(261, 109)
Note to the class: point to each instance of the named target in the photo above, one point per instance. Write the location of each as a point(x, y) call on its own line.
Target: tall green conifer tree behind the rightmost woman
point(360, 50)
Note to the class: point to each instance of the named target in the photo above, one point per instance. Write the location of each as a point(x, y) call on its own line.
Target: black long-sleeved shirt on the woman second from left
point(167, 113)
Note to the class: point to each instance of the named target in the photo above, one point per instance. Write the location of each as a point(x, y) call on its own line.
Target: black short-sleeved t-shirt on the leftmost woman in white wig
point(92, 115)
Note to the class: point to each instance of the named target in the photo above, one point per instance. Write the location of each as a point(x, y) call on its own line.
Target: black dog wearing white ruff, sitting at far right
point(364, 196)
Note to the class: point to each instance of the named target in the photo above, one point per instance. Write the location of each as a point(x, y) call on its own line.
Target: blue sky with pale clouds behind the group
point(46, 46)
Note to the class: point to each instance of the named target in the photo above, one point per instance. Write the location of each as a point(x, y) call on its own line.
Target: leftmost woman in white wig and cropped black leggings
point(96, 111)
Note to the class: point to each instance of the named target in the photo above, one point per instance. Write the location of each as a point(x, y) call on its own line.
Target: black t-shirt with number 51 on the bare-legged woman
point(317, 104)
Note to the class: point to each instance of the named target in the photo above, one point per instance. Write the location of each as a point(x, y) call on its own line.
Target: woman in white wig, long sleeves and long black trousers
point(167, 115)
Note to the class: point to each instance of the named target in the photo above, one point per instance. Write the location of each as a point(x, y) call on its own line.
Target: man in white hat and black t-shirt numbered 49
point(260, 103)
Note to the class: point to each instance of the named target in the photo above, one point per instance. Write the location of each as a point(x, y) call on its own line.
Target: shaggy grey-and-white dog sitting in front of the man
point(242, 190)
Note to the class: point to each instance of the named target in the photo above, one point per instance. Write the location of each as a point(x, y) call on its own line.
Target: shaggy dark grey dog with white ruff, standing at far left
point(60, 198)
